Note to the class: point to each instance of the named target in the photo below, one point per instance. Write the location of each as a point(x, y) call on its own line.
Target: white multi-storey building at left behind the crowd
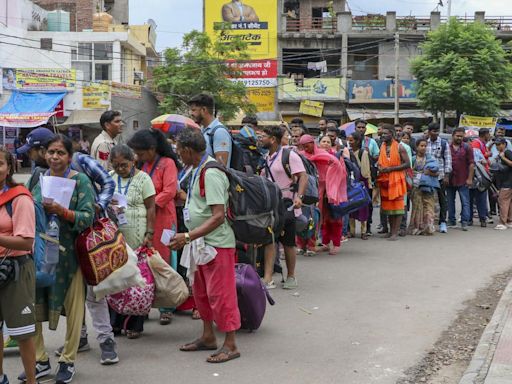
point(119, 55)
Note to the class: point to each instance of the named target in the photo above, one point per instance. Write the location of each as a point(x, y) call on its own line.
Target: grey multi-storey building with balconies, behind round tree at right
point(347, 62)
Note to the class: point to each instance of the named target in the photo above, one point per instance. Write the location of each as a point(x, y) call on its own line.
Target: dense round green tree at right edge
point(463, 68)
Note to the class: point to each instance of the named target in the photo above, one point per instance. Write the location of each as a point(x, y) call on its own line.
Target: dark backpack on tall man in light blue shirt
point(245, 155)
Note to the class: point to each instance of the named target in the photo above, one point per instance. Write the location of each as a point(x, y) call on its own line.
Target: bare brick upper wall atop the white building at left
point(80, 11)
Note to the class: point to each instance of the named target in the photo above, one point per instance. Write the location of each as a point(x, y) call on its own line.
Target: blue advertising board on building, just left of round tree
point(370, 90)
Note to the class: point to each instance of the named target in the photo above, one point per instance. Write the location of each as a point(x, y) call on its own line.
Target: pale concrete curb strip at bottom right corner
point(478, 368)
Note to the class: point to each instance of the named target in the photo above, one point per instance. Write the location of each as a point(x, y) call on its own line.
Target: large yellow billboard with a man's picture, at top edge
point(254, 21)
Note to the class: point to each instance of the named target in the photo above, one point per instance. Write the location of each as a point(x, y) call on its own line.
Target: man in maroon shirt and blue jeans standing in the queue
point(461, 178)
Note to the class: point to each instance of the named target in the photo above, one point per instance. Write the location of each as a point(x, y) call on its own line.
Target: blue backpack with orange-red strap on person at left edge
point(43, 279)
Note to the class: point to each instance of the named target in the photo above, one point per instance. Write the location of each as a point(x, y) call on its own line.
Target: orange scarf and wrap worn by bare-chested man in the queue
point(393, 187)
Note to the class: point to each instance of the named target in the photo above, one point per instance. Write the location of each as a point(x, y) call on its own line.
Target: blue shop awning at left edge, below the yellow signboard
point(29, 110)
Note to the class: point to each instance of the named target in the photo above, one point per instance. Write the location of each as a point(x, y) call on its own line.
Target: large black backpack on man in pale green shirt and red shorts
point(256, 207)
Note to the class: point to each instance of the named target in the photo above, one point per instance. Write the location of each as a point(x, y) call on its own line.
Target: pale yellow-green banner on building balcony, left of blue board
point(310, 89)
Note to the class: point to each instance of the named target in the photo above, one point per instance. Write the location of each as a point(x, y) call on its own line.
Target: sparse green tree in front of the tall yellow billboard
point(201, 66)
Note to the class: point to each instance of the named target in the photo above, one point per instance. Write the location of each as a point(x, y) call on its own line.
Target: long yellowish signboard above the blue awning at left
point(39, 79)
